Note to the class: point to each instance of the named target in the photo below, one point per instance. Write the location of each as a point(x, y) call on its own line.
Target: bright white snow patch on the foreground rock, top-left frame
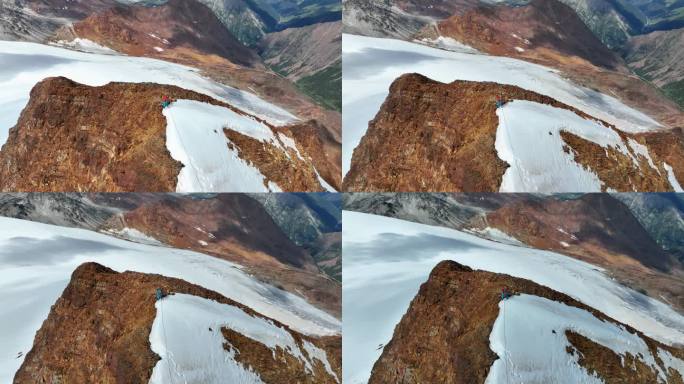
point(195, 137)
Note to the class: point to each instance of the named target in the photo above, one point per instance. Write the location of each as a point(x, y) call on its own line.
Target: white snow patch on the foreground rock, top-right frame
point(528, 139)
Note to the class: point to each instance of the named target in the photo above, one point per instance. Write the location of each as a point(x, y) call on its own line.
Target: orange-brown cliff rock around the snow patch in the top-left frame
point(112, 138)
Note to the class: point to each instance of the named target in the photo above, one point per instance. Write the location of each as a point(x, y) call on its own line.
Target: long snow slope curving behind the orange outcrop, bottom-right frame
point(390, 258)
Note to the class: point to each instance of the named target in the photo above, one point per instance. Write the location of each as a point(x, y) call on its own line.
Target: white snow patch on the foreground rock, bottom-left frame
point(187, 335)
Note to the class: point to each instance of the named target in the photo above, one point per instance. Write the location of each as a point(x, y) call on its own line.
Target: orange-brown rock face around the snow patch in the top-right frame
point(431, 136)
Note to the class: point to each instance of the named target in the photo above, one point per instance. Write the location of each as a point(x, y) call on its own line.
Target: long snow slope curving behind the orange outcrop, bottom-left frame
point(36, 261)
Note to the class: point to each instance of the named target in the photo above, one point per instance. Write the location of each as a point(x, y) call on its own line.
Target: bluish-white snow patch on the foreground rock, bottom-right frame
point(529, 338)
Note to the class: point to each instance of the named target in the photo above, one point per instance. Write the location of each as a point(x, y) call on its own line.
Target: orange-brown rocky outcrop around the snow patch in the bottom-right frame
point(444, 335)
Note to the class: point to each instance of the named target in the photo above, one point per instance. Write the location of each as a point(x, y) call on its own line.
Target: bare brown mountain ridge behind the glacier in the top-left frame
point(205, 45)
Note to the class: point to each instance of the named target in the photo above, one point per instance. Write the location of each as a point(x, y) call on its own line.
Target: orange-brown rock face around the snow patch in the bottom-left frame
point(98, 332)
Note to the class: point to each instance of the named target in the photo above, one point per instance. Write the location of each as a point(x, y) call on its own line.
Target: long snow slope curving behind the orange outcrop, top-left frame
point(25, 64)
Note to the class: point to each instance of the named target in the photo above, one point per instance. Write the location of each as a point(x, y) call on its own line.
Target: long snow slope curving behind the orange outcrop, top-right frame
point(372, 64)
